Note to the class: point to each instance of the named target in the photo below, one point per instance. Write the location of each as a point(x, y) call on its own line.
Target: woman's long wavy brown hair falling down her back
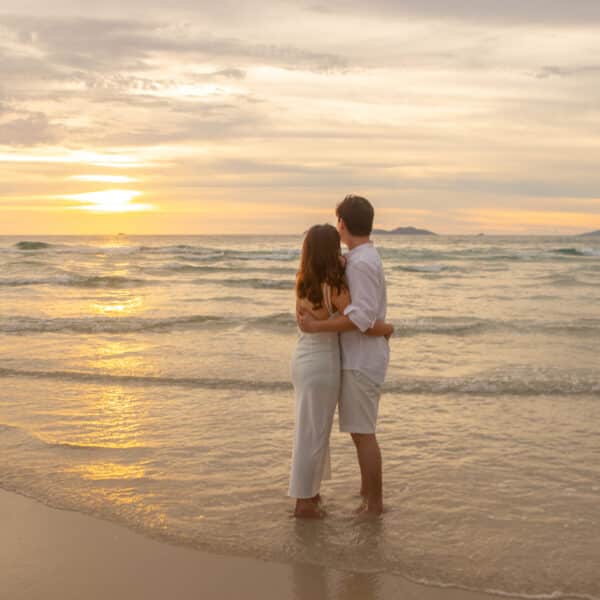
point(320, 263)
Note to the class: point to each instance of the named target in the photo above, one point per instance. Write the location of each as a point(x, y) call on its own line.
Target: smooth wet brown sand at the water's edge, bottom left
point(56, 554)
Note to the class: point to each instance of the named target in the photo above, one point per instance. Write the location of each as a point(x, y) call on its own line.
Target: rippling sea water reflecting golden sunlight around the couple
point(146, 380)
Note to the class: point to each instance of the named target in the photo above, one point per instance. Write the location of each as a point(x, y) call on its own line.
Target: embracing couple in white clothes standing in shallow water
point(341, 356)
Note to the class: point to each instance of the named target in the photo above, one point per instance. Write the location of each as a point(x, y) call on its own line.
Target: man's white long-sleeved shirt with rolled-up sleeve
point(364, 272)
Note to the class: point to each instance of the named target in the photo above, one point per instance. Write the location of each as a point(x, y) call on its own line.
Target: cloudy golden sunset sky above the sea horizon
point(197, 117)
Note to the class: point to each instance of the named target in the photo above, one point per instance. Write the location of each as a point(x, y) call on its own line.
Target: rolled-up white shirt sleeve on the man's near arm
point(363, 281)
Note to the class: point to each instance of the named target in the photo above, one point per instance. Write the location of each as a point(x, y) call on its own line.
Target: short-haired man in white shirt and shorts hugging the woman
point(364, 358)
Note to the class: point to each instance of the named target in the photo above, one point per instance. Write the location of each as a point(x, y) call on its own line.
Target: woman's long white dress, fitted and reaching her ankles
point(316, 375)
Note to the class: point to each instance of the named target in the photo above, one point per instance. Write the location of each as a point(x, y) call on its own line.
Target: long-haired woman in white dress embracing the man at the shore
point(316, 369)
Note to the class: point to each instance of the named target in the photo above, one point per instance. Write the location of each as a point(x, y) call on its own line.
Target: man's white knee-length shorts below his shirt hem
point(359, 403)
